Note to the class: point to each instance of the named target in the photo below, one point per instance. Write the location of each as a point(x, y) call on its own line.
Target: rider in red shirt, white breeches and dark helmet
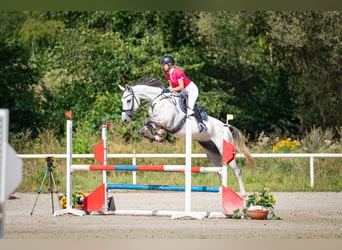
point(180, 82)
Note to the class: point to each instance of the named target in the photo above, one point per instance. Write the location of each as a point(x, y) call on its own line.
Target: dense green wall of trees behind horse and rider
point(277, 72)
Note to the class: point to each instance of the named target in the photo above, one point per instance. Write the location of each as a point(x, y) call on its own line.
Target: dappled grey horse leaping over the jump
point(167, 115)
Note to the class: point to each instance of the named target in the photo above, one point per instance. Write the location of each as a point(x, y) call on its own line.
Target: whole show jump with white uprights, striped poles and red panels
point(102, 192)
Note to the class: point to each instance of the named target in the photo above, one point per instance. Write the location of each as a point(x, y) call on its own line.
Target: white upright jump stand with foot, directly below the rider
point(188, 144)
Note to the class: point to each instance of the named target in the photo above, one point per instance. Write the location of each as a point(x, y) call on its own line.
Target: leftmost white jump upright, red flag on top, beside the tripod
point(69, 209)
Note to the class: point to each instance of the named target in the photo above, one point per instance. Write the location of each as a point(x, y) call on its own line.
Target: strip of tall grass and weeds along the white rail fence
point(277, 174)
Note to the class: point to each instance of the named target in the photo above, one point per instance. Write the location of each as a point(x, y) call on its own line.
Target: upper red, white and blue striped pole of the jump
point(146, 168)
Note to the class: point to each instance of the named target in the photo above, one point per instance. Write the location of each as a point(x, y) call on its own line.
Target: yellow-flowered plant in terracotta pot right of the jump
point(260, 204)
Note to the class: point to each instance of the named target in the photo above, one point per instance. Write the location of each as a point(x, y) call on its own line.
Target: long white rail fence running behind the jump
point(310, 156)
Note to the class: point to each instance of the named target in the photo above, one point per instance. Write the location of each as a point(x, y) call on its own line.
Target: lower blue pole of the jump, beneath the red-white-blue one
point(163, 187)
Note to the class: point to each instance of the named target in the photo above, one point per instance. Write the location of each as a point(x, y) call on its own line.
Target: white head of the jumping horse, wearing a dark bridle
point(130, 103)
